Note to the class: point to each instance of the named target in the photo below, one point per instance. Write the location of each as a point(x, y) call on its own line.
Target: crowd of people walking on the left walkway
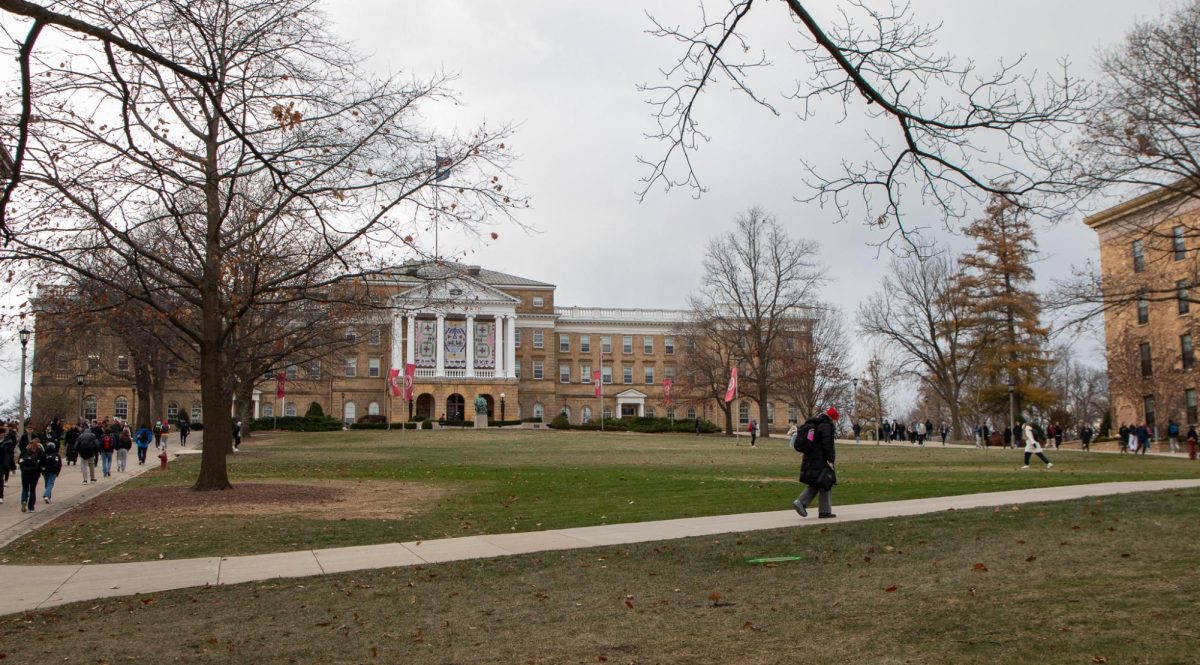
point(39, 452)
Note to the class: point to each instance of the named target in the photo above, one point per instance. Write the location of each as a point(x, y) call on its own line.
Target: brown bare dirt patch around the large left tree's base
point(320, 501)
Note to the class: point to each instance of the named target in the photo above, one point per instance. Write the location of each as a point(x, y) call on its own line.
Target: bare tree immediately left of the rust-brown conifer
point(920, 311)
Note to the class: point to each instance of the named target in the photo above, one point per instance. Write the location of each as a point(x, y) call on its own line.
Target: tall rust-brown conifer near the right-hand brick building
point(1005, 310)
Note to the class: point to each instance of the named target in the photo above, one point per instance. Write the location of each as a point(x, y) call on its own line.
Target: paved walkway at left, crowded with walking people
point(70, 490)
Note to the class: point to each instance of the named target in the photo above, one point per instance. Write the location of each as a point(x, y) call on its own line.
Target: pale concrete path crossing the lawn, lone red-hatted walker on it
point(32, 588)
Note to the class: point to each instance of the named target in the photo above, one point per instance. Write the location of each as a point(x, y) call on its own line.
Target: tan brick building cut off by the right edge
point(1149, 253)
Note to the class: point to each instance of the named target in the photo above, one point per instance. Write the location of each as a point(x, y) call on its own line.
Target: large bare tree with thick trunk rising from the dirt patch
point(226, 122)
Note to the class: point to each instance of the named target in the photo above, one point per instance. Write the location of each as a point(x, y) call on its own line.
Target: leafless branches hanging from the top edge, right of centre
point(958, 134)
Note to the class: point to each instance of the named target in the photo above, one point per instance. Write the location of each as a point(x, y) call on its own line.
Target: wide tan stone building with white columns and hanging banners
point(470, 332)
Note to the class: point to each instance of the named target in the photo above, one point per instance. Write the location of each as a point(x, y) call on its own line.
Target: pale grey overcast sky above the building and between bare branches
point(567, 75)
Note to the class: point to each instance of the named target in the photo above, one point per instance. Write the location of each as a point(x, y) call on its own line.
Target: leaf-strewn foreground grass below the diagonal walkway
point(1075, 583)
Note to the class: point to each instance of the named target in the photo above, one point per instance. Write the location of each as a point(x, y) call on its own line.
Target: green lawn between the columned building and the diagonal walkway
point(523, 481)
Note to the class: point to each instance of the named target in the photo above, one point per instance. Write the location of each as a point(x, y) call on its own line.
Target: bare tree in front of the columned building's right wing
point(758, 284)
